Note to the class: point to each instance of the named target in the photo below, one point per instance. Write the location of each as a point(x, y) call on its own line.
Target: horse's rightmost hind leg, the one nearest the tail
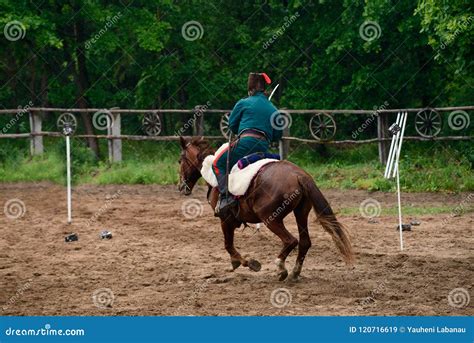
point(301, 214)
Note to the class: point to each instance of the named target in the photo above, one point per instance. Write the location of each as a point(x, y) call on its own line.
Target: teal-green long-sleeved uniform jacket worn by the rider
point(255, 112)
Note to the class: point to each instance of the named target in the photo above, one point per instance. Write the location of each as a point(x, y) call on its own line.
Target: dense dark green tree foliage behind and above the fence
point(178, 54)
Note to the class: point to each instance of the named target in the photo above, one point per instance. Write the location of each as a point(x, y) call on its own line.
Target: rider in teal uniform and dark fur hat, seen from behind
point(251, 120)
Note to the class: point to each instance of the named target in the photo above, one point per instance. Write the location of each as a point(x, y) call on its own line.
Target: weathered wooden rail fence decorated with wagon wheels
point(429, 117)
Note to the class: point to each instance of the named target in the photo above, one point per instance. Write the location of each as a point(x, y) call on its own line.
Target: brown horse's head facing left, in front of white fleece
point(193, 152)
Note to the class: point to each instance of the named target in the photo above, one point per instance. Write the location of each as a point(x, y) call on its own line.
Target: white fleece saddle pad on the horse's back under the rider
point(239, 179)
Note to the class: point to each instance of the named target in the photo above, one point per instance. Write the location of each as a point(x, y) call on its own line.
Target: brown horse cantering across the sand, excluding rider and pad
point(278, 189)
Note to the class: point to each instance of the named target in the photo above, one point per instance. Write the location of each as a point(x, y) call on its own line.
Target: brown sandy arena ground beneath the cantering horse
point(161, 263)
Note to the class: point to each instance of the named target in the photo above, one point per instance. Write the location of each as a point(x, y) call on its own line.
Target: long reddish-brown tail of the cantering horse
point(327, 219)
